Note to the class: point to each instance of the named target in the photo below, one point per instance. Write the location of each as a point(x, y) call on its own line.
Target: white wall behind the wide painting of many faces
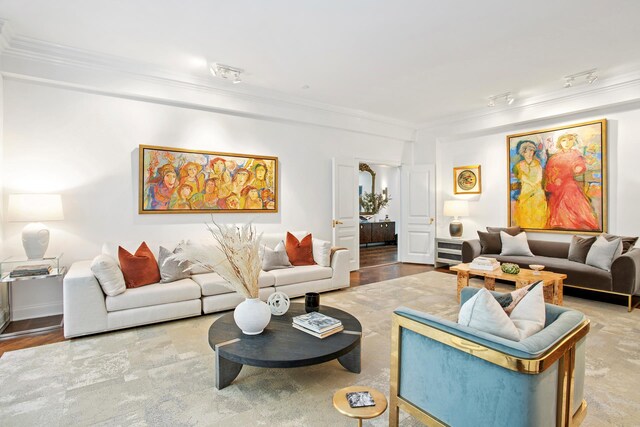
point(84, 146)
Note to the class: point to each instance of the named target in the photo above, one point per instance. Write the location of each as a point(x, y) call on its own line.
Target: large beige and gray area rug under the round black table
point(163, 374)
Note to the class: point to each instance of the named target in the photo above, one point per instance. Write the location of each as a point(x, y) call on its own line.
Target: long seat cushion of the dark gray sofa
point(577, 274)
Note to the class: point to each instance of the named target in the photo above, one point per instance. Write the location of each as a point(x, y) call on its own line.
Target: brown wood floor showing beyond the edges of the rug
point(358, 278)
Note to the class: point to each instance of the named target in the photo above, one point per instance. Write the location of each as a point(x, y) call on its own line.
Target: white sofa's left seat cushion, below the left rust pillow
point(156, 294)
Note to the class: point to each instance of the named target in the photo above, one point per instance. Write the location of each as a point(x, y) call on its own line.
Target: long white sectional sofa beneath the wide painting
point(87, 310)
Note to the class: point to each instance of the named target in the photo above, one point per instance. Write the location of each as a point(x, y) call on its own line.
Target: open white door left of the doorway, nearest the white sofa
point(345, 209)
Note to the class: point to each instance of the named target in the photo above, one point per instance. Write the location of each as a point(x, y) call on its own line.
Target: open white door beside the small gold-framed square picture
point(418, 212)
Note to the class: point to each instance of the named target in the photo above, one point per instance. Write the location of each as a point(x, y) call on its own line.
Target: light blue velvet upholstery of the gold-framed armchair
point(479, 392)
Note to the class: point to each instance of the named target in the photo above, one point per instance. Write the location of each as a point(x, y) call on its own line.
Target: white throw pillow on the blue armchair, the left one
point(484, 313)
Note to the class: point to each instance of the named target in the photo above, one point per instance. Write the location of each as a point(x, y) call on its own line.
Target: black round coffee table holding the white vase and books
point(280, 345)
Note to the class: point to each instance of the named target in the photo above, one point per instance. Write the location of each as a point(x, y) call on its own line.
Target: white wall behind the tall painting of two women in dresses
point(489, 150)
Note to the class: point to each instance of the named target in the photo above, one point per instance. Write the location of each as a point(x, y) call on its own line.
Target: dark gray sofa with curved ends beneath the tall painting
point(623, 279)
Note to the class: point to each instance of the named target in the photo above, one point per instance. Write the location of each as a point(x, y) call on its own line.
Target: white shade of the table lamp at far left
point(35, 207)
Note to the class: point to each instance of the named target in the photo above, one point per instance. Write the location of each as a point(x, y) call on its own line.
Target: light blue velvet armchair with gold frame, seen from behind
point(444, 373)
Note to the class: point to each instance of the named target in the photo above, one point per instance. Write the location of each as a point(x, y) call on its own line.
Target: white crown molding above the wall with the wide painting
point(20, 48)
